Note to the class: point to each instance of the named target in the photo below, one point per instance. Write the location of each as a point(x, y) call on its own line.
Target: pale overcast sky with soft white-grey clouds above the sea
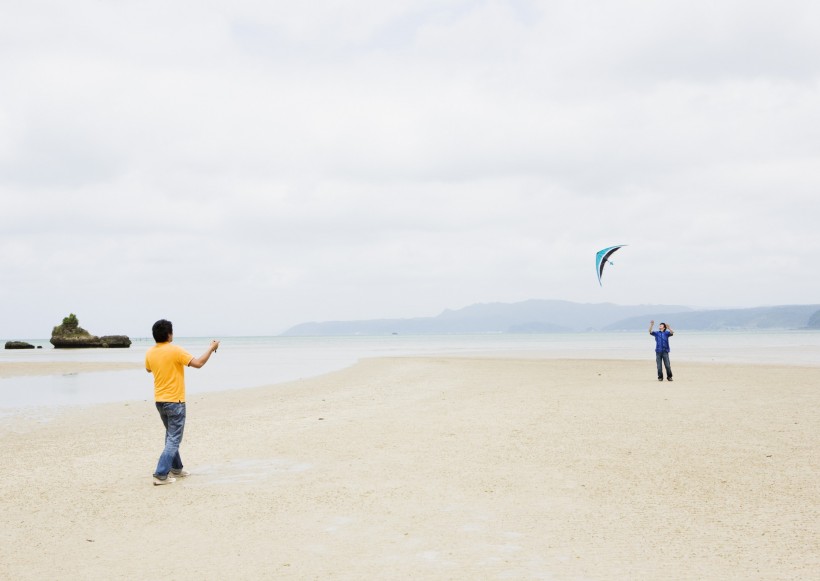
point(242, 166)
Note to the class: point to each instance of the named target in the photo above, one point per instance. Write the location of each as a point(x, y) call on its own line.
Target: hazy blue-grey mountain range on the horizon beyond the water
point(549, 316)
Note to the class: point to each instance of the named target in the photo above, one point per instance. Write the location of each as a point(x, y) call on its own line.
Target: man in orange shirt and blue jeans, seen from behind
point(168, 362)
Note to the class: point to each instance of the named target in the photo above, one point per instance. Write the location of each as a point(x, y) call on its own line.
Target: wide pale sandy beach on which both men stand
point(433, 468)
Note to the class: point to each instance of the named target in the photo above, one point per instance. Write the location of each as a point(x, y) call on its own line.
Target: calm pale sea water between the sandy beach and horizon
point(253, 361)
